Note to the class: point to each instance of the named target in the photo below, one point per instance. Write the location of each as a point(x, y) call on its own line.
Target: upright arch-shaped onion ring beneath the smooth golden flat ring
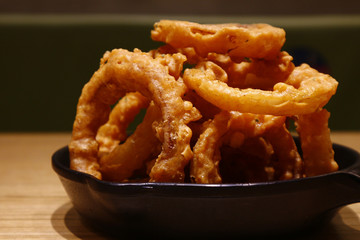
point(234, 128)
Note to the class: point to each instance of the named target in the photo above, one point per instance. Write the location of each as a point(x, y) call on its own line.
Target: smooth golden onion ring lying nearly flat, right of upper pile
point(303, 92)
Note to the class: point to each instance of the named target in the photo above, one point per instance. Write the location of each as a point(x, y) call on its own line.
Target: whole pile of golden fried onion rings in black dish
point(219, 100)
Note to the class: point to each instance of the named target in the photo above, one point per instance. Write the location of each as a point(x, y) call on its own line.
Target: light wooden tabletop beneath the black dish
point(34, 205)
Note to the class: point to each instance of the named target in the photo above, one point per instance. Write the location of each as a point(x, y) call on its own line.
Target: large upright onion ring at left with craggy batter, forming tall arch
point(122, 71)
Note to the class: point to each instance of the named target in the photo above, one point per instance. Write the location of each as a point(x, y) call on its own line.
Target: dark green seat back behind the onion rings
point(46, 60)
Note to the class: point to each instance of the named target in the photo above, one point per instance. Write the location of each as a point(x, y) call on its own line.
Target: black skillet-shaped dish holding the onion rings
point(248, 209)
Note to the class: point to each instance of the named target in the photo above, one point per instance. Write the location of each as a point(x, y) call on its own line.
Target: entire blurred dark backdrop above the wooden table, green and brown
point(50, 49)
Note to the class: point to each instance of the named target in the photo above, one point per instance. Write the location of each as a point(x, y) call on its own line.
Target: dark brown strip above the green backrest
point(188, 7)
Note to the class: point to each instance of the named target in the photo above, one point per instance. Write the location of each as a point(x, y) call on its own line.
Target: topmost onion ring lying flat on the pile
point(236, 40)
